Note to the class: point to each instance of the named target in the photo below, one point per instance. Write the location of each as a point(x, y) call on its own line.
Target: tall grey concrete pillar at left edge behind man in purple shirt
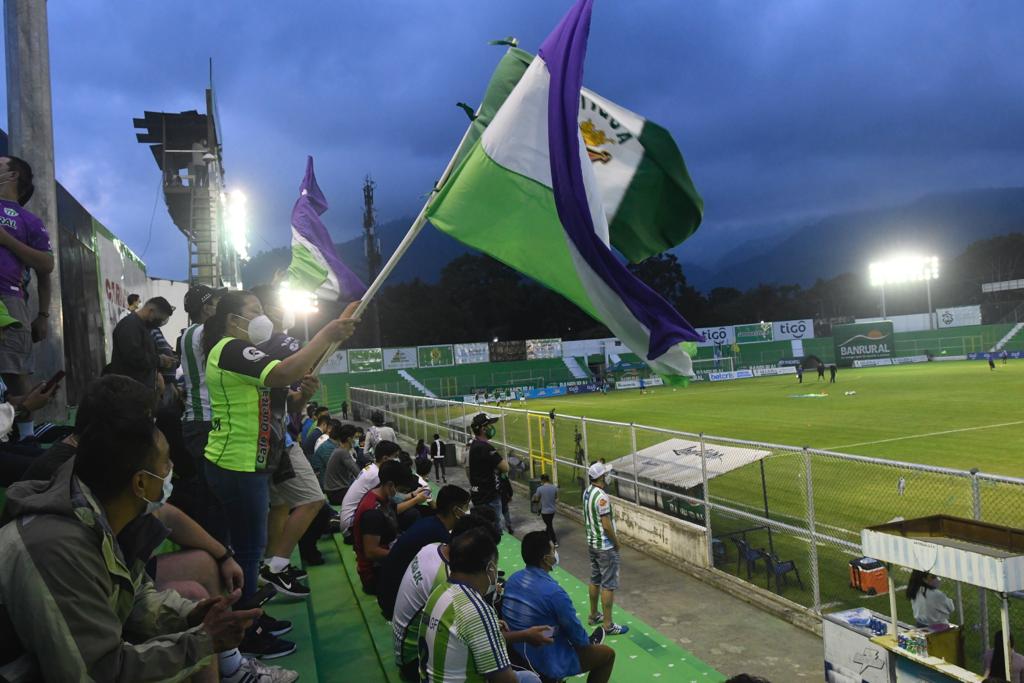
point(30, 119)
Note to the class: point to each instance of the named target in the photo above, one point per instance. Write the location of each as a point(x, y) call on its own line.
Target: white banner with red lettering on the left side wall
point(121, 274)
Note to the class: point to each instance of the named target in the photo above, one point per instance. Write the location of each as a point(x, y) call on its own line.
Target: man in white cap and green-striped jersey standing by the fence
point(603, 546)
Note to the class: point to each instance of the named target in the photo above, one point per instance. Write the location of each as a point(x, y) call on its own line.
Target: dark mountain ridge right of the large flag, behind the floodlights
point(943, 225)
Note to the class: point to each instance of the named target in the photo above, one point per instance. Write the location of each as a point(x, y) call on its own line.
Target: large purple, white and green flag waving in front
point(527, 194)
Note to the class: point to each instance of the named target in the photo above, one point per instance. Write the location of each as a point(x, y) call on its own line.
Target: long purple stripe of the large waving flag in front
point(564, 53)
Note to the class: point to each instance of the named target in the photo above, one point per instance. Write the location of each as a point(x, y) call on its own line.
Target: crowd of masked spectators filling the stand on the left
point(145, 542)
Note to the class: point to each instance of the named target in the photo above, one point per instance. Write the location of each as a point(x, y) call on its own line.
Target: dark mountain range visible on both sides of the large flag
point(944, 225)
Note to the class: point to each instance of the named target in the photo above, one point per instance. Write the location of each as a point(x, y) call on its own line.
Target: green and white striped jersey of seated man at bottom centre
point(460, 639)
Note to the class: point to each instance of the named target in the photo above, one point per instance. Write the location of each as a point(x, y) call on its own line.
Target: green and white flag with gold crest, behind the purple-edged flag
point(647, 192)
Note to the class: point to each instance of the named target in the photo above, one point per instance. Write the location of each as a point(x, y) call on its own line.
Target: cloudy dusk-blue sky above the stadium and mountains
point(784, 109)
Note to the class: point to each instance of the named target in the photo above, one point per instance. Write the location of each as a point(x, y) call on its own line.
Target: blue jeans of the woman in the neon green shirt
point(246, 497)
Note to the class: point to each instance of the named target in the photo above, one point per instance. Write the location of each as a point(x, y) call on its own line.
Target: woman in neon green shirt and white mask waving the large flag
point(239, 452)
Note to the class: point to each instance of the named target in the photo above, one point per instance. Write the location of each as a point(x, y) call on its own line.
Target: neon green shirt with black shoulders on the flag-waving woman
point(240, 402)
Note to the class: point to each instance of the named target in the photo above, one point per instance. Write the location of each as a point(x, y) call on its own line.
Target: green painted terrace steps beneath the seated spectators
point(342, 633)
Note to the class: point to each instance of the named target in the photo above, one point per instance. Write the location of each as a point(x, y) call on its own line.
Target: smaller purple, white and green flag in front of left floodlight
point(316, 266)
